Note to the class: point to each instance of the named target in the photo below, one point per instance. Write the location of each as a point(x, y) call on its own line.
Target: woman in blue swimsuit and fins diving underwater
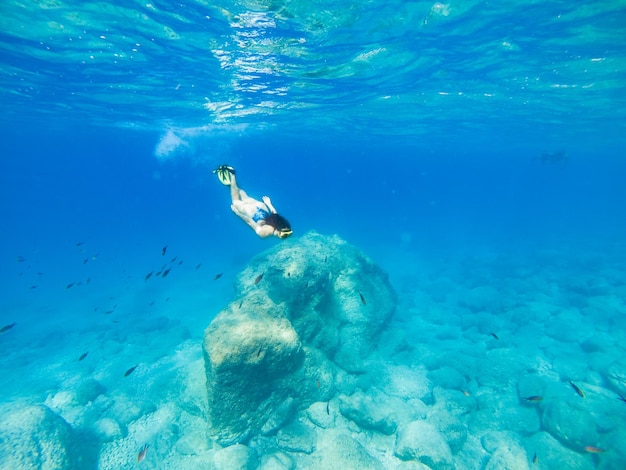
point(260, 215)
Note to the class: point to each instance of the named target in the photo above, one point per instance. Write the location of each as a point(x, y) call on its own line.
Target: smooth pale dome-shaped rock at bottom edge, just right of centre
point(420, 440)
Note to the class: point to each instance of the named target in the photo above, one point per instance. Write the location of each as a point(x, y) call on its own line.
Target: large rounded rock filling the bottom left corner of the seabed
point(35, 437)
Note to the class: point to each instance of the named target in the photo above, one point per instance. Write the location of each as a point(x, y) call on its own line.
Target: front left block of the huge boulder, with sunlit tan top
point(247, 359)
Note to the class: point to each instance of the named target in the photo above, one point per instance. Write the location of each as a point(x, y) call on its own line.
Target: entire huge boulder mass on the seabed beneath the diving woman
point(305, 310)
